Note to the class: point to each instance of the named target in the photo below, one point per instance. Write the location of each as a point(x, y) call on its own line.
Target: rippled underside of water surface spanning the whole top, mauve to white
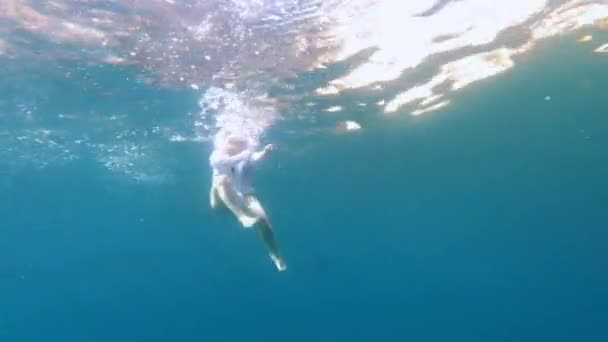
point(197, 44)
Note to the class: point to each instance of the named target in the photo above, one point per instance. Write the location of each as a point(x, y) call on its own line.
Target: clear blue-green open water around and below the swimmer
point(482, 221)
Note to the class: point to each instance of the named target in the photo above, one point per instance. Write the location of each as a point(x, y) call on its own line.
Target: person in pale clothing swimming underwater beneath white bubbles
point(232, 160)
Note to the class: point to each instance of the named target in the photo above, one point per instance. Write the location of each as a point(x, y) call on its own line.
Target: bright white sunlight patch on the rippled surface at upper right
point(495, 32)
